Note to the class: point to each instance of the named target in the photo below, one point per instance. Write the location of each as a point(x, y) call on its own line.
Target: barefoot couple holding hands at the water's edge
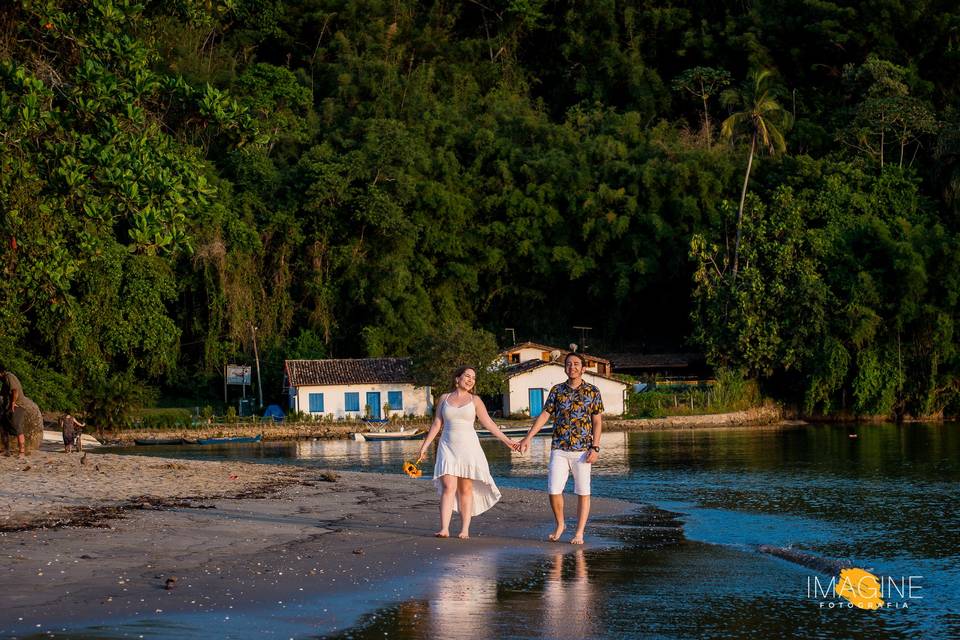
point(462, 475)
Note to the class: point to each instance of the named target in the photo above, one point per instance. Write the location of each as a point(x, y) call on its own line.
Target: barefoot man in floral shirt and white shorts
point(577, 411)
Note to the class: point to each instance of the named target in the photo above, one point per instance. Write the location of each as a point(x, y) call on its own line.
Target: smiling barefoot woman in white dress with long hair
point(460, 460)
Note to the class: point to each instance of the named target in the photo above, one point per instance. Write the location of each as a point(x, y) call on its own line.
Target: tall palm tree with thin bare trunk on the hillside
point(761, 118)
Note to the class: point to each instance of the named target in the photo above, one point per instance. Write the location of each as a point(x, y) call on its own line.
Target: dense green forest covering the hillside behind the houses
point(773, 183)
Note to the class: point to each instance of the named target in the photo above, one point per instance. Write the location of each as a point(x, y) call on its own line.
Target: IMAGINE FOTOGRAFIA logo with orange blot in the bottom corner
point(861, 589)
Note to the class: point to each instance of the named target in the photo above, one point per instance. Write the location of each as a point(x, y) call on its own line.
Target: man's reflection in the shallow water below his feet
point(569, 603)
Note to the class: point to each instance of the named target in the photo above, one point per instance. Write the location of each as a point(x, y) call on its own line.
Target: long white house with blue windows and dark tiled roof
point(355, 388)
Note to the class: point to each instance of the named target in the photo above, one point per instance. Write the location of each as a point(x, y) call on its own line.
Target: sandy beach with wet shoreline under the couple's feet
point(101, 542)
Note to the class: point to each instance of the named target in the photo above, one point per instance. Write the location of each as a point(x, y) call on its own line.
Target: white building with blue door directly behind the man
point(529, 384)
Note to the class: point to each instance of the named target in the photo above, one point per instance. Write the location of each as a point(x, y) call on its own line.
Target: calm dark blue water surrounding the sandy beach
point(886, 500)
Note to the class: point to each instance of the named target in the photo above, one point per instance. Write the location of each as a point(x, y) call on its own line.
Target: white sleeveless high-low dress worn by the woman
point(459, 454)
